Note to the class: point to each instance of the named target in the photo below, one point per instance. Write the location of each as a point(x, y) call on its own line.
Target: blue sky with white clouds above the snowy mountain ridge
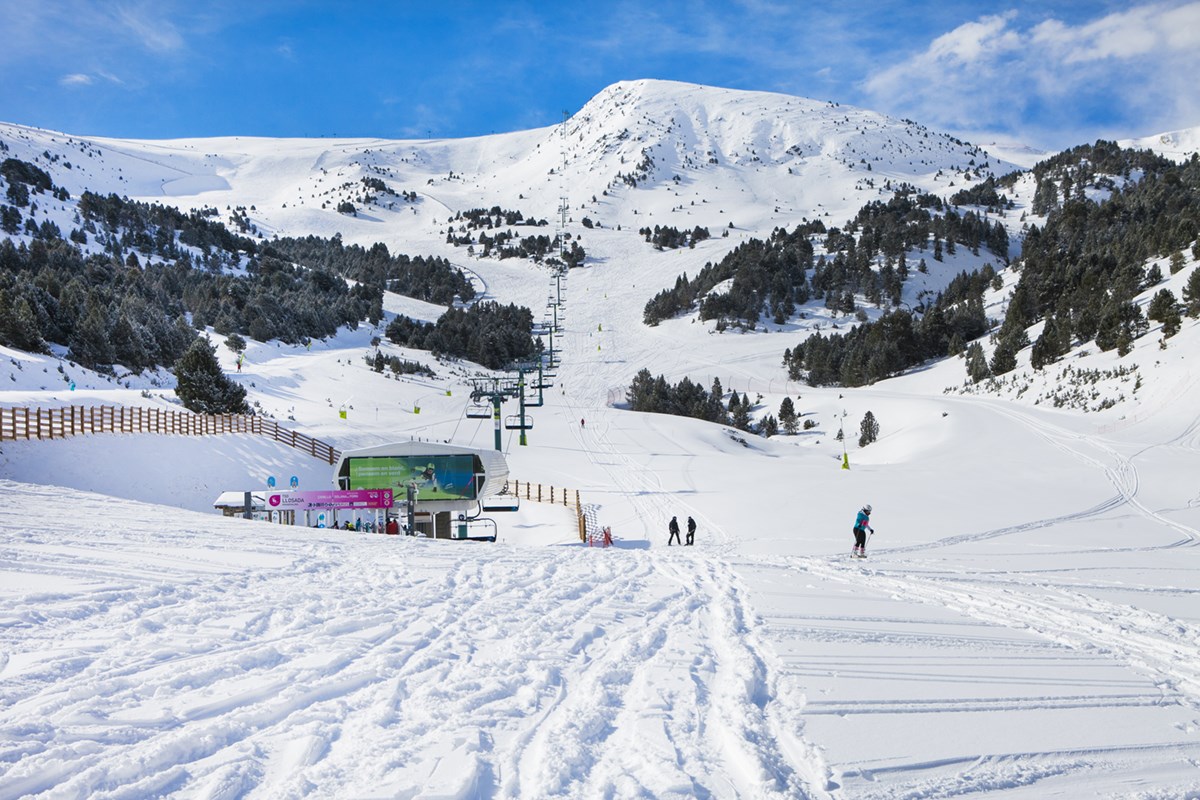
point(1051, 75)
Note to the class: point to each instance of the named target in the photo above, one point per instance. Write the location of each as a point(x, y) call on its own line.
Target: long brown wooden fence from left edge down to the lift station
point(79, 420)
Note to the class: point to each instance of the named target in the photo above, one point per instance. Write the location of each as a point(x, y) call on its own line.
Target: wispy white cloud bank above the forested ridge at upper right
point(1127, 74)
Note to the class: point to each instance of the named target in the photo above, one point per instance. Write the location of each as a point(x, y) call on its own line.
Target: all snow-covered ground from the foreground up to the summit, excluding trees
point(1027, 624)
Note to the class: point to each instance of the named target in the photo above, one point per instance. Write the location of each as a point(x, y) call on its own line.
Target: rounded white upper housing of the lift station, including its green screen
point(487, 472)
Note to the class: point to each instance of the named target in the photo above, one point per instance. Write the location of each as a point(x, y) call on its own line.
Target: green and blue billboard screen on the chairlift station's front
point(437, 478)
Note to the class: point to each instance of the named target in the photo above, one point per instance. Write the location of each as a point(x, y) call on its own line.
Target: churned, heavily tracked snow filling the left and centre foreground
point(392, 669)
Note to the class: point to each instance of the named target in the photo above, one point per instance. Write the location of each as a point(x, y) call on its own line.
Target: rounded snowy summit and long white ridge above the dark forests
point(699, 157)
